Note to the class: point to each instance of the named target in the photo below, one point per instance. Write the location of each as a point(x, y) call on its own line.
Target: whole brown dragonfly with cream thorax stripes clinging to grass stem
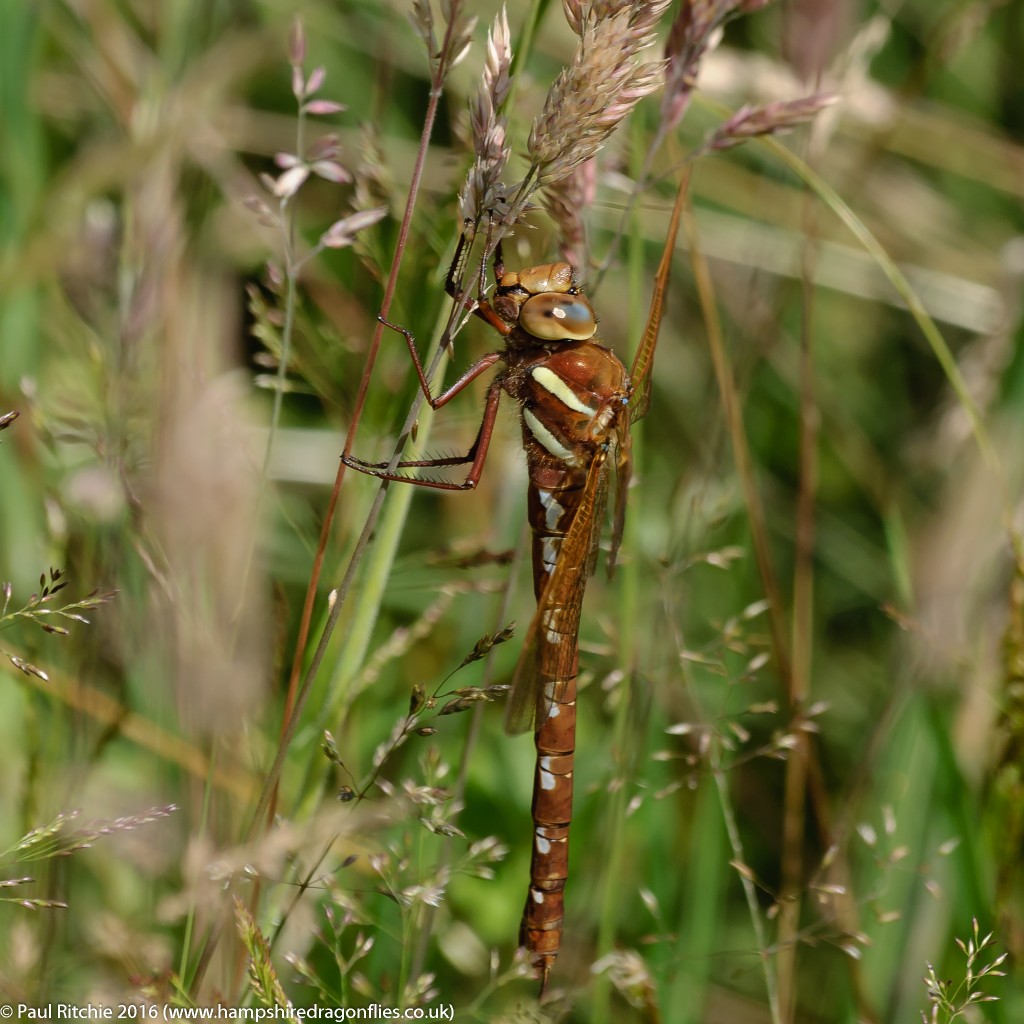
point(577, 404)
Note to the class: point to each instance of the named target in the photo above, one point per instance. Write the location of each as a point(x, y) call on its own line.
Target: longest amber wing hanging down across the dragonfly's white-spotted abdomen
point(550, 648)
